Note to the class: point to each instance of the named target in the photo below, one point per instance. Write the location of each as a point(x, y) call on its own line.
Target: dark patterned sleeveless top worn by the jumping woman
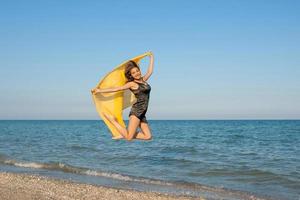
point(142, 94)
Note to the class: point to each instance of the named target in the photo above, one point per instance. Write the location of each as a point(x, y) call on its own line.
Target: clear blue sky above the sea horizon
point(213, 59)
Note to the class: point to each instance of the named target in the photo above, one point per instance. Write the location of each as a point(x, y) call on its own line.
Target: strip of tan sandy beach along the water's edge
point(24, 186)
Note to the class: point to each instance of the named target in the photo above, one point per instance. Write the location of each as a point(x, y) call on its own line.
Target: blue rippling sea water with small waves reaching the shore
point(216, 159)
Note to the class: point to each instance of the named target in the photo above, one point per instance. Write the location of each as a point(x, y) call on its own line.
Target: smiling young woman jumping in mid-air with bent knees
point(141, 89)
